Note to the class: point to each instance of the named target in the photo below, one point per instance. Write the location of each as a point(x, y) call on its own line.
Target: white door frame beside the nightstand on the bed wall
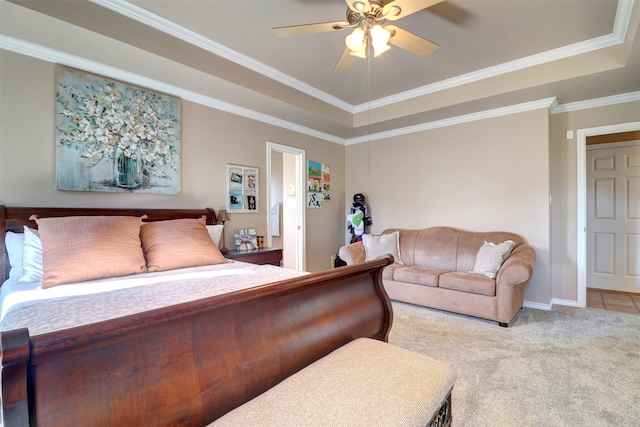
point(301, 212)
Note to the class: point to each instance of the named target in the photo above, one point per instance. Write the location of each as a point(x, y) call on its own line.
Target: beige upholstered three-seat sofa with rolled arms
point(437, 271)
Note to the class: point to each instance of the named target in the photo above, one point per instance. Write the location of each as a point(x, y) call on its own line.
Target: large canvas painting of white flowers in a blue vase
point(115, 137)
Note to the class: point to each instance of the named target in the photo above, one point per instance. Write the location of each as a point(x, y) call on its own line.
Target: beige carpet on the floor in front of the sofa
point(566, 367)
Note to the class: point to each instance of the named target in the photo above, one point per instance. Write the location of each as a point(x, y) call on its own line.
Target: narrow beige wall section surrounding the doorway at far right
point(563, 172)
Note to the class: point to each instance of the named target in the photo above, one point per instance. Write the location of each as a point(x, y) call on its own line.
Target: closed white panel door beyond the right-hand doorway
point(613, 217)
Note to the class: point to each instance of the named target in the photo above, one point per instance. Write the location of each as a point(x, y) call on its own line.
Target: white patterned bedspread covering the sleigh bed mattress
point(66, 306)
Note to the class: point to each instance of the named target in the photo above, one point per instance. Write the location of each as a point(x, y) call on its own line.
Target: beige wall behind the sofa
point(487, 175)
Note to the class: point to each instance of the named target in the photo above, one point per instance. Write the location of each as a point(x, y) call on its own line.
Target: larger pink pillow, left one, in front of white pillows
point(78, 248)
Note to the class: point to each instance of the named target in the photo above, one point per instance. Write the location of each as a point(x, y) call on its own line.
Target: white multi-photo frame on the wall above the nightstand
point(242, 189)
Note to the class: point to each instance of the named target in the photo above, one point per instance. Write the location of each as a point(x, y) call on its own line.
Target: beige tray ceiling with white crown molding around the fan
point(493, 54)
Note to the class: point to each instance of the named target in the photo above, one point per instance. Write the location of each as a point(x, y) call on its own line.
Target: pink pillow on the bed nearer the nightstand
point(178, 243)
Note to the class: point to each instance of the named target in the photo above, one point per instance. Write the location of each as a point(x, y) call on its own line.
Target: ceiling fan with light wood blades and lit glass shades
point(371, 34)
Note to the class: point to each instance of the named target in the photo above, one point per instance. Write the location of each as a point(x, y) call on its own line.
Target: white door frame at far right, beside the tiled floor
point(581, 199)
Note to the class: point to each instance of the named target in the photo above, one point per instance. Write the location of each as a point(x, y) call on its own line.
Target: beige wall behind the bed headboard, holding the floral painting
point(210, 139)
